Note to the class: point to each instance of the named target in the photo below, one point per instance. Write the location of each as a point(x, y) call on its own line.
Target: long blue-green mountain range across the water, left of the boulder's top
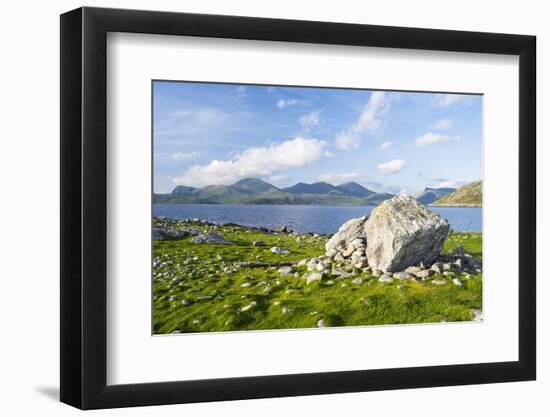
point(257, 191)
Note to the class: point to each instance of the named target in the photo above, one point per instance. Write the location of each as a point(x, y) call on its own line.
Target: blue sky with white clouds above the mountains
point(387, 141)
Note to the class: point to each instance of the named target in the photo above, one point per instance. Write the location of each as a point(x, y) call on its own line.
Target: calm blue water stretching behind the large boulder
point(303, 219)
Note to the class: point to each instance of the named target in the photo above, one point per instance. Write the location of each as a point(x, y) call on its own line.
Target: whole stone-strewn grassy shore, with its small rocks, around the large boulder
point(209, 277)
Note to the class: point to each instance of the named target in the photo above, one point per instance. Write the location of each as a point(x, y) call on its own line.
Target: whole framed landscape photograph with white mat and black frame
point(258, 208)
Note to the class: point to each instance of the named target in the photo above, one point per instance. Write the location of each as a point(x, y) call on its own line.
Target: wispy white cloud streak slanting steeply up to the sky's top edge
point(368, 121)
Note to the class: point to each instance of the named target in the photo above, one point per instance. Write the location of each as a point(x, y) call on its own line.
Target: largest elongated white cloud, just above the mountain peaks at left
point(255, 162)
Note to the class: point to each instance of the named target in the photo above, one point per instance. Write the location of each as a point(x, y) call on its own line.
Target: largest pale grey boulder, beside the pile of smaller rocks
point(401, 232)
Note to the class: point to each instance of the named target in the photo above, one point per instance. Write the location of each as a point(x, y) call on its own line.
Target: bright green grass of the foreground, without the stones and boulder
point(206, 277)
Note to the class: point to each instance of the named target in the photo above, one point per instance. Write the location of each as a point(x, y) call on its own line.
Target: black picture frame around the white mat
point(84, 207)
